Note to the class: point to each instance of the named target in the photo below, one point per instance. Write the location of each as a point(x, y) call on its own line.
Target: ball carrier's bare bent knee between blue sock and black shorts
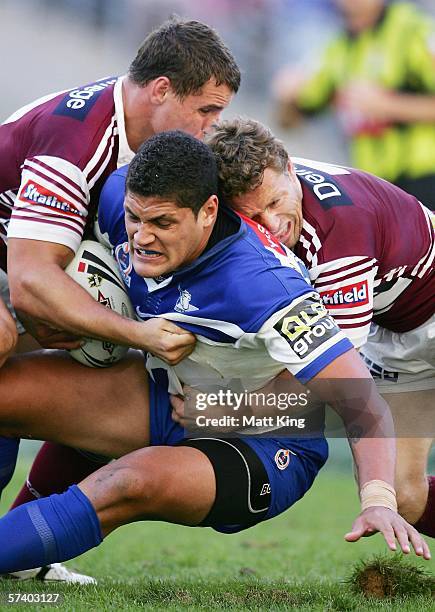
point(174, 484)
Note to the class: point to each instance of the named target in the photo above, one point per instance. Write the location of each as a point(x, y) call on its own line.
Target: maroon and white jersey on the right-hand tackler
point(369, 248)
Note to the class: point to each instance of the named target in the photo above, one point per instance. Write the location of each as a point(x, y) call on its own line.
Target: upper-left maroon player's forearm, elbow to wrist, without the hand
point(51, 297)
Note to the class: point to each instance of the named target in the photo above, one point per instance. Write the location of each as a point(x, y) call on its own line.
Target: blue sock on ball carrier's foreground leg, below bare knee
point(48, 530)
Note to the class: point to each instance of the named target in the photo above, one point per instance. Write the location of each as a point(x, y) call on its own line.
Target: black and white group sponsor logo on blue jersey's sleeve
point(307, 328)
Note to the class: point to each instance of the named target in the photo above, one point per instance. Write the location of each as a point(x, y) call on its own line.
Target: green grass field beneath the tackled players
point(297, 561)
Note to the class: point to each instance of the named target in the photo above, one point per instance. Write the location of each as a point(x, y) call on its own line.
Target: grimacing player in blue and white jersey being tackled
point(254, 316)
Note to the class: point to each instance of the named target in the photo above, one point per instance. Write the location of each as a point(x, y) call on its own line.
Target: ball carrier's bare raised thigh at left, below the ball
point(49, 396)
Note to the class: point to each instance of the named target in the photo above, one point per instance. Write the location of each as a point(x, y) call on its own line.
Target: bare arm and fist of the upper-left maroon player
point(62, 305)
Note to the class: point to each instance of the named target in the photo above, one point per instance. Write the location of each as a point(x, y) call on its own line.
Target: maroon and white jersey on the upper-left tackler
point(55, 154)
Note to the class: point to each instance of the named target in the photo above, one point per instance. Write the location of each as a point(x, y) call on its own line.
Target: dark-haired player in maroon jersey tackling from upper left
point(55, 154)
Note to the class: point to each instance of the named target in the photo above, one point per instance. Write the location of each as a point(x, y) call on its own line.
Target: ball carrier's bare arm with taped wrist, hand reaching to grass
point(374, 456)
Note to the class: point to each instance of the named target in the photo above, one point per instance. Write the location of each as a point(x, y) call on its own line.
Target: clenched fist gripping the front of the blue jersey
point(167, 341)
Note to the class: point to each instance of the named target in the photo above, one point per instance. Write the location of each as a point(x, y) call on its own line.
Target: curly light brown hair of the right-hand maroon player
point(244, 148)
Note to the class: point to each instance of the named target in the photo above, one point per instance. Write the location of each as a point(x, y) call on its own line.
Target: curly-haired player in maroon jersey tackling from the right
point(369, 248)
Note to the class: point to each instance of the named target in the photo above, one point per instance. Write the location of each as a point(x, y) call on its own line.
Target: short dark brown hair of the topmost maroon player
point(189, 53)
